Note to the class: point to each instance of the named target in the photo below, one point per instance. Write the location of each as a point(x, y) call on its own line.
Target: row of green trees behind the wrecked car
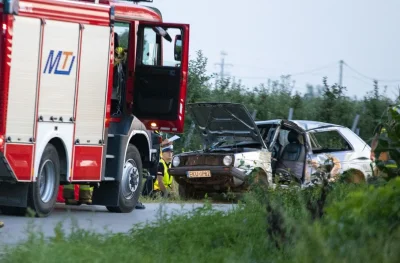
point(327, 102)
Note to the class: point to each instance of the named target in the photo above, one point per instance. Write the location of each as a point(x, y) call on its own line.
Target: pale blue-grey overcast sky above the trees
point(265, 39)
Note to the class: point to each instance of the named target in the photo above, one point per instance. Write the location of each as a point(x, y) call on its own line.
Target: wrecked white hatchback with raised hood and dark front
point(236, 146)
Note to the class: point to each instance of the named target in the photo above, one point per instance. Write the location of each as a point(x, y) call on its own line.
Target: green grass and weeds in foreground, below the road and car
point(360, 224)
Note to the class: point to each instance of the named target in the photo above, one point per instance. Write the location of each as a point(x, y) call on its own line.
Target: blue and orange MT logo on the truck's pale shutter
point(54, 62)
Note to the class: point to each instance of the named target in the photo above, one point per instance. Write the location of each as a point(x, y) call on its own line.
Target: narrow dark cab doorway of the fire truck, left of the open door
point(121, 44)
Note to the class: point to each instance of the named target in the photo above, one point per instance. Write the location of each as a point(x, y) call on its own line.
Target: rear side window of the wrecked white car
point(330, 141)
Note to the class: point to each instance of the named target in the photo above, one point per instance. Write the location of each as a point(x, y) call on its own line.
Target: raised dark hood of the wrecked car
point(216, 120)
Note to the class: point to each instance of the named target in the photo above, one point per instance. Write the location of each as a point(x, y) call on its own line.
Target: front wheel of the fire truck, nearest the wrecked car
point(131, 182)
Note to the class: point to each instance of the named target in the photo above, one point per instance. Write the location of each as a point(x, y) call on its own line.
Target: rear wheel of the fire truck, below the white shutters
point(42, 195)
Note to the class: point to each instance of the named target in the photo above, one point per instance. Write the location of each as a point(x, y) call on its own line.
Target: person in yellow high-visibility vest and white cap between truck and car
point(163, 182)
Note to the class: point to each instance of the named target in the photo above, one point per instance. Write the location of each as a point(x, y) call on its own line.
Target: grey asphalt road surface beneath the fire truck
point(95, 218)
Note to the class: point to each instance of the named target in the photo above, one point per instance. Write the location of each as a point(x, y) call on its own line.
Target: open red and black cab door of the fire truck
point(161, 75)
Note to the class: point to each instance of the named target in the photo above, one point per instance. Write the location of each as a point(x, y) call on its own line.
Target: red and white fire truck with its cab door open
point(70, 114)
